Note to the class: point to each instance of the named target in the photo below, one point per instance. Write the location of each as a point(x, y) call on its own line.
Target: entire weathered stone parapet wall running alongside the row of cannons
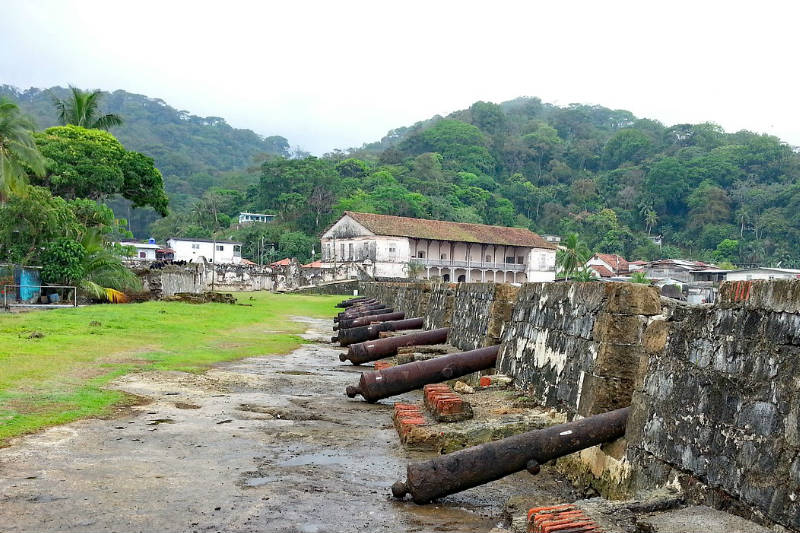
point(714, 389)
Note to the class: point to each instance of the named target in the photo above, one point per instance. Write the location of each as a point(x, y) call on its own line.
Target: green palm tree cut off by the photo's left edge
point(18, 152)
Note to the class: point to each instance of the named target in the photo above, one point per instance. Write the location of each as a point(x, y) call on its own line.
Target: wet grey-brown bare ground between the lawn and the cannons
point(265, 444)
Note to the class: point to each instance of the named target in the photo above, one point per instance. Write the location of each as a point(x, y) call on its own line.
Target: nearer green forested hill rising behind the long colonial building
point(605, 174)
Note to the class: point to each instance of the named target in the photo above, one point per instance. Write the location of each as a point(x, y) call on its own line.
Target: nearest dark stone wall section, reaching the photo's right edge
point(718, 409)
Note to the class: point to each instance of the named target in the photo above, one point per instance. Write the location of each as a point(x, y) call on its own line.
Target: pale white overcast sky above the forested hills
point(337, 74)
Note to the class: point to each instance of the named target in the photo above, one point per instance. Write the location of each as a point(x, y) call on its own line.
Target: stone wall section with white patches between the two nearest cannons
point(577, 346)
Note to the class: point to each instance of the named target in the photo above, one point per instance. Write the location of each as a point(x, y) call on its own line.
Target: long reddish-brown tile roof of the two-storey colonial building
point(440, 230)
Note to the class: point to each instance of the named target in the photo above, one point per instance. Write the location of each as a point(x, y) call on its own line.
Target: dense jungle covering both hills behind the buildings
point(610, 177)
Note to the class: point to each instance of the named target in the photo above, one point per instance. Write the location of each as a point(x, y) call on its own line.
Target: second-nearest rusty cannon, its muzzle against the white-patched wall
point(374, 386)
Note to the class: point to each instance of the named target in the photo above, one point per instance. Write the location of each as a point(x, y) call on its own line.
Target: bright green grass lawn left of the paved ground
point(59, 377)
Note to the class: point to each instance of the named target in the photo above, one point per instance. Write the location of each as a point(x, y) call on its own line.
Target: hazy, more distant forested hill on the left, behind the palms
point(193, 153)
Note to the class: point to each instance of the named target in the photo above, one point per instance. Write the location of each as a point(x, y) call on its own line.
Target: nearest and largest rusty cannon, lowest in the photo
point(481, 464)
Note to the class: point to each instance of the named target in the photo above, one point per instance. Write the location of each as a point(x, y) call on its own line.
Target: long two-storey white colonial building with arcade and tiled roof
point(399, 247)
